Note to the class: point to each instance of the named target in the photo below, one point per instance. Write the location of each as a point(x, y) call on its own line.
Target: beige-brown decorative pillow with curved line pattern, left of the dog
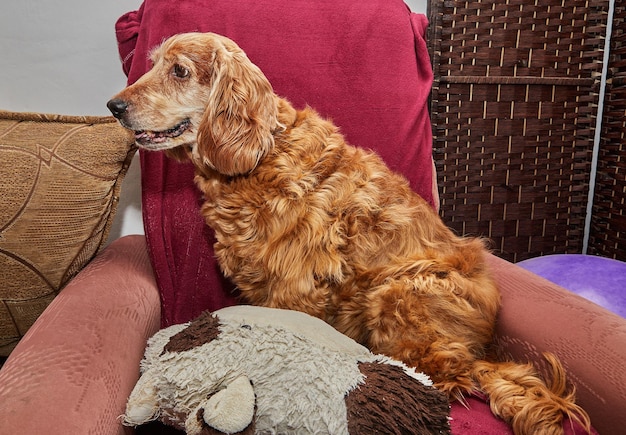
point(60, 180)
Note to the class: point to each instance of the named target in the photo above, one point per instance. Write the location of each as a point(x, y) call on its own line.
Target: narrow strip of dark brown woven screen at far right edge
point(608, 225)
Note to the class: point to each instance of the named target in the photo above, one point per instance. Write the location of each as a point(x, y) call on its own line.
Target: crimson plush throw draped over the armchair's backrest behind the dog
point(363, 63)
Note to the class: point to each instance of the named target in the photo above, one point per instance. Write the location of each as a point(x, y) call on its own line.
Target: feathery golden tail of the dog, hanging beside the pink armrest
point(518, 395)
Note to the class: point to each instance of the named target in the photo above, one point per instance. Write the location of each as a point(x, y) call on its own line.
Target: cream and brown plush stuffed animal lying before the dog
point(247, 369)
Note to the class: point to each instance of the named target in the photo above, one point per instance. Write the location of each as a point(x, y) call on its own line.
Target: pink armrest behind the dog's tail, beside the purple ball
point(590, 341)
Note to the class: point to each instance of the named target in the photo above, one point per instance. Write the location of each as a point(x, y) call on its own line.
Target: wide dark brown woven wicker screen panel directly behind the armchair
point(513, 109)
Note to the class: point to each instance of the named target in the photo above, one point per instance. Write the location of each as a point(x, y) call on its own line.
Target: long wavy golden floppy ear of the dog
point(237, 128)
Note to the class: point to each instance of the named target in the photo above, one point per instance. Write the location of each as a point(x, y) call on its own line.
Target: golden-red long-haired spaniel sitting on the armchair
point(307, 222)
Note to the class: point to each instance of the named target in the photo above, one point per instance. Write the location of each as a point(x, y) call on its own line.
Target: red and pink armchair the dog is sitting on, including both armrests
point(74, 369)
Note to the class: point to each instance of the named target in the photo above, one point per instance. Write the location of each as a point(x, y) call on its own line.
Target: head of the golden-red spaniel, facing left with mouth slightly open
point(204, 96)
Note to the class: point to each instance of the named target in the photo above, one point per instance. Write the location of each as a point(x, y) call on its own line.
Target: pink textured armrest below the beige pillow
point(72, 372)
